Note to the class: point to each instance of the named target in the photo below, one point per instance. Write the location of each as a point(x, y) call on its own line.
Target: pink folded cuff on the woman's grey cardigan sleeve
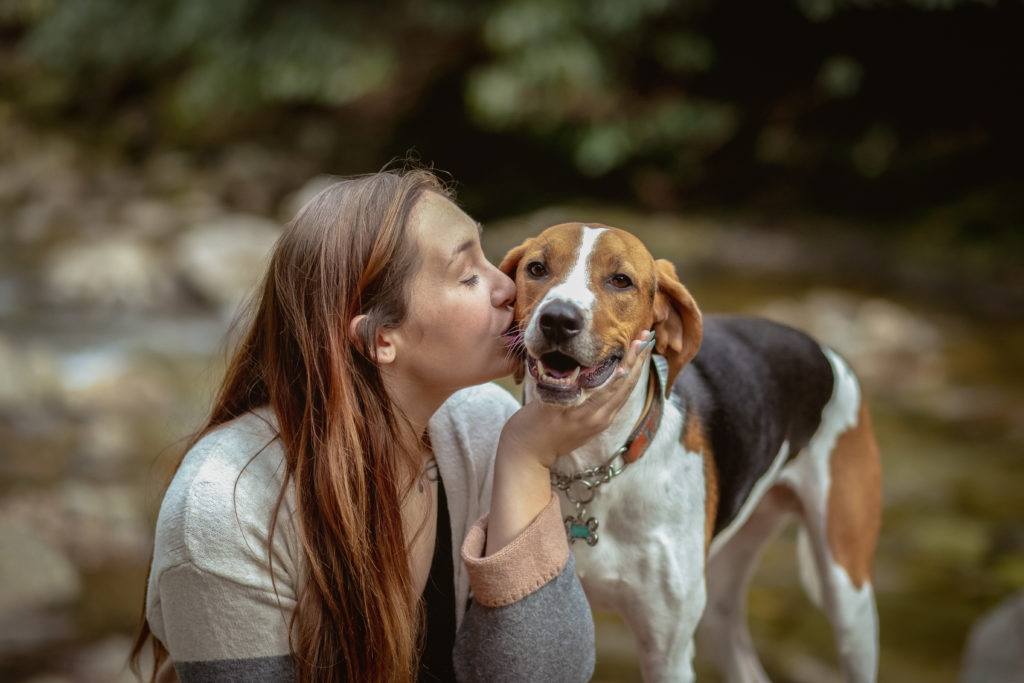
point(530, 562)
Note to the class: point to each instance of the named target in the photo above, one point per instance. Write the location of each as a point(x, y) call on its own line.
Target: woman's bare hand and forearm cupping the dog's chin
point(537, 435)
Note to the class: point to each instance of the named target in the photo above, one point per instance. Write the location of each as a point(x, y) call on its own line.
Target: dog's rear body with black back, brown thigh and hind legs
point(791, 439)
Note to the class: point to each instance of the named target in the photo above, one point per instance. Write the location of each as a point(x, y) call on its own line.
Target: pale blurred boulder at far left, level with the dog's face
point(111, 275)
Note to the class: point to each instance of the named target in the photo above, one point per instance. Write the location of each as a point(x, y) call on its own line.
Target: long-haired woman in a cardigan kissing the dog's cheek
point(309, 532)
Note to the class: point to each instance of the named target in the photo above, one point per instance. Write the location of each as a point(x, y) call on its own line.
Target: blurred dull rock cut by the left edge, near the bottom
point(38, 586)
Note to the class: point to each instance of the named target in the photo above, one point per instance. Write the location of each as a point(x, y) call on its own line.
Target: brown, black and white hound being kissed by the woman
point(707, 460)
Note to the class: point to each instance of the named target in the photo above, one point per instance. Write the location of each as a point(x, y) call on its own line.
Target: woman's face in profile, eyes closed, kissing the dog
point(460, 305)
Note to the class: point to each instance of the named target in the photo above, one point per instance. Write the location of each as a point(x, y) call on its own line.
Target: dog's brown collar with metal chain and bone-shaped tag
point(581, 488)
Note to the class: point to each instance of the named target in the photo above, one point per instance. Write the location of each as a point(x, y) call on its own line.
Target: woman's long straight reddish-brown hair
point(350, 454)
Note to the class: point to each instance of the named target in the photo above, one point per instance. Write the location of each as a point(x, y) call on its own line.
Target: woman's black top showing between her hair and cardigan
point(439, 599)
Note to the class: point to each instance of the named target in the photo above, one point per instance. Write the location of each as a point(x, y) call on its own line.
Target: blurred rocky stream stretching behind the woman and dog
point(110, 350)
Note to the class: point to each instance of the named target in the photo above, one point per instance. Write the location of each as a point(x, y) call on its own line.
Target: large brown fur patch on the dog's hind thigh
point(856, 500)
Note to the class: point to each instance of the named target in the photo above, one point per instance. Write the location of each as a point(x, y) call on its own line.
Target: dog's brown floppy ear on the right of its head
point(678, 328)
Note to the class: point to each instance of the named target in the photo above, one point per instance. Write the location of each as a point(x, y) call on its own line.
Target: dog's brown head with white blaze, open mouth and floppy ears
point(583, 293)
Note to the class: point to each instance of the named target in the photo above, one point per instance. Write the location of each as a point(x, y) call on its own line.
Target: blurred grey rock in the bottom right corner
point(994, 647)
